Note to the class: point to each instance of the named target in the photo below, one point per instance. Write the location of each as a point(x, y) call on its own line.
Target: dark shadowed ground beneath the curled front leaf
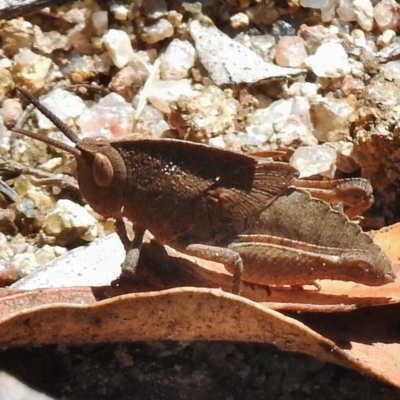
point(171, 370)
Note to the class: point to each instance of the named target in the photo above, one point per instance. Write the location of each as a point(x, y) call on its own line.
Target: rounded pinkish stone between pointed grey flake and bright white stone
point(290, 51)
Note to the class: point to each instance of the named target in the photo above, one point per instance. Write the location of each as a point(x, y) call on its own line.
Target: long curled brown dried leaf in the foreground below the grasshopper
point(76, 316)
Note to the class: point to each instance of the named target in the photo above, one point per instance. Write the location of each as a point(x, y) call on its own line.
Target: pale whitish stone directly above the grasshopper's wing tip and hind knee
point(313, 160)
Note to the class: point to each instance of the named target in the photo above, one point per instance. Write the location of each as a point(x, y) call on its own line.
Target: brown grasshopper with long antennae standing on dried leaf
point(214, 204)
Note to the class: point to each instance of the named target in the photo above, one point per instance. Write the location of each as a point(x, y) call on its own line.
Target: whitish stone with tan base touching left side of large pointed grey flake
point(178, 58)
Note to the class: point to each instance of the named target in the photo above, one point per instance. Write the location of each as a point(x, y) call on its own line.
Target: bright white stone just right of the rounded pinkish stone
point(329, 61)
